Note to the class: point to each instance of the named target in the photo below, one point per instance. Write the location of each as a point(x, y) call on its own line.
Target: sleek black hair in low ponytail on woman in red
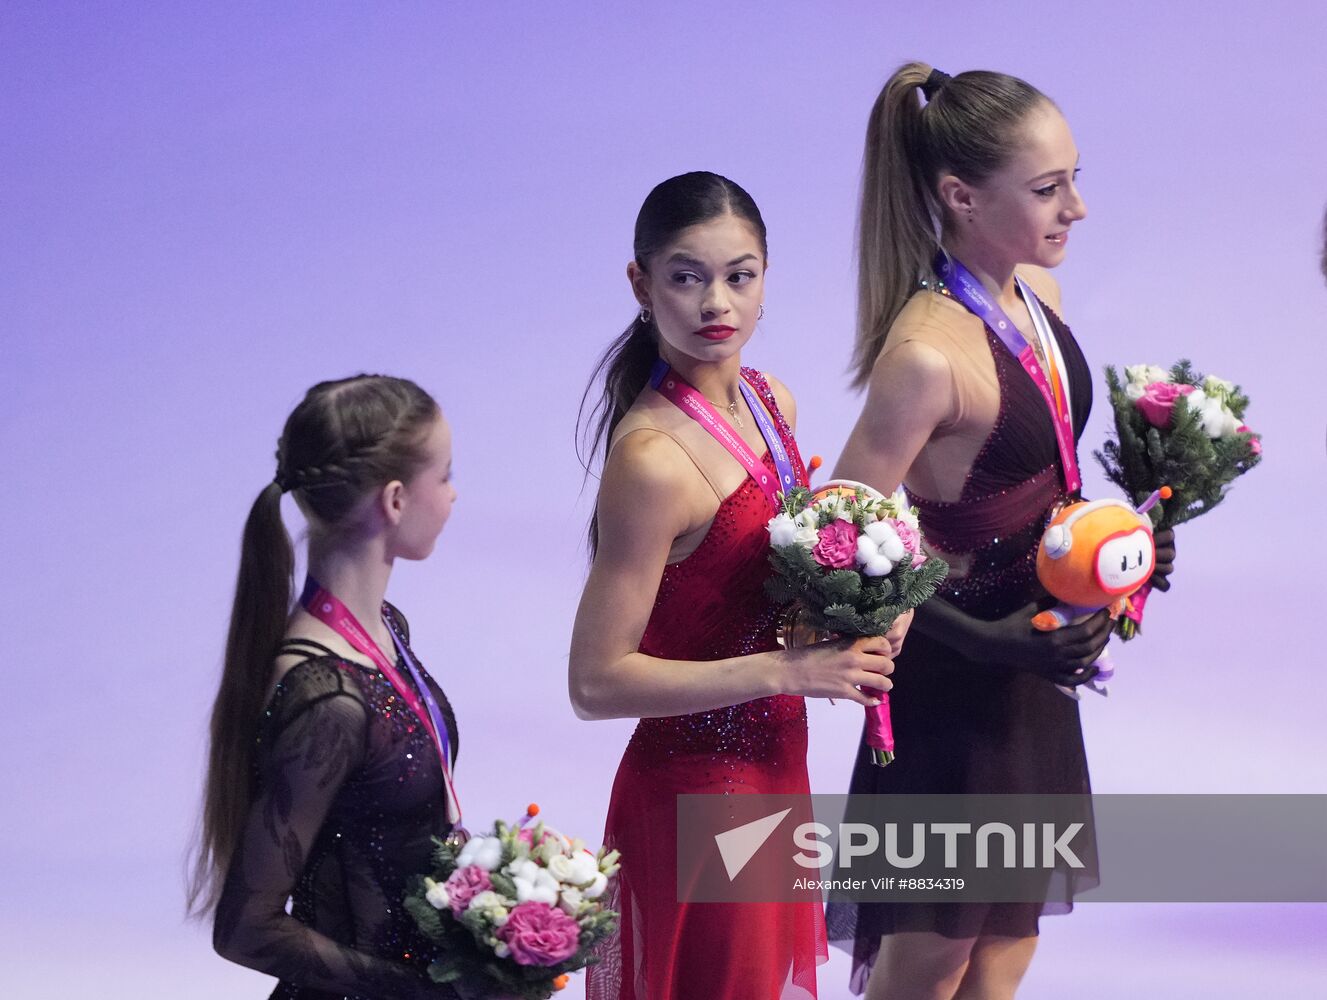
point(676, 205)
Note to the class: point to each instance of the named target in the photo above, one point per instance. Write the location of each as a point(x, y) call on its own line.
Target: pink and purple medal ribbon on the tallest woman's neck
point(975, 296)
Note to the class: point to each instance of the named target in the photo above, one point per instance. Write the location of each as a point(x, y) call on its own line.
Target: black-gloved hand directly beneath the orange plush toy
point(1064, 657)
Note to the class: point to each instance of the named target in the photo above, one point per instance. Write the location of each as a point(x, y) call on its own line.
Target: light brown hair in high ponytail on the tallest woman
point(969, 127)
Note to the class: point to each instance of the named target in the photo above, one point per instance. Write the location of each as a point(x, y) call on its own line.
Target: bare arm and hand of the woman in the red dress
point(648, 499)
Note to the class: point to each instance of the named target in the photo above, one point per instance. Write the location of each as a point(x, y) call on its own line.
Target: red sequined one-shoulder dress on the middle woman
point(709, 607)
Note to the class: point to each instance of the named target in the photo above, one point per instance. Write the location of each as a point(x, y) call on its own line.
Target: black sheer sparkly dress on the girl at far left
point(348, 794)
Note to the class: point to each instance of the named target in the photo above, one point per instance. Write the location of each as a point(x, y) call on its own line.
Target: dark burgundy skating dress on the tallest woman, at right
point(963, 726)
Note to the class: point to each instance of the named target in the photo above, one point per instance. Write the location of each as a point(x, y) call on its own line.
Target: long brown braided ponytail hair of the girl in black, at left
point(343, 442)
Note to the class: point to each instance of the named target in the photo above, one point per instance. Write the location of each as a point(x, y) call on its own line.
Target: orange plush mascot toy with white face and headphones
point(1095, 555)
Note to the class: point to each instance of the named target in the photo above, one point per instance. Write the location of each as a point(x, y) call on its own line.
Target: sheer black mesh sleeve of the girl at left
point(313, 745)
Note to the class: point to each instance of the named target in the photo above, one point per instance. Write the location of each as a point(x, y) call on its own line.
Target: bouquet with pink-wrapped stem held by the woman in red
point(851, 560)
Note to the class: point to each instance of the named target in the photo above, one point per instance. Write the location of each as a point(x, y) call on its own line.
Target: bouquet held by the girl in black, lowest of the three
point(514, 912)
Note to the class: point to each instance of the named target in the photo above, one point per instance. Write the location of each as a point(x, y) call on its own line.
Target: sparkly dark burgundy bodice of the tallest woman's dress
point(1011, 487)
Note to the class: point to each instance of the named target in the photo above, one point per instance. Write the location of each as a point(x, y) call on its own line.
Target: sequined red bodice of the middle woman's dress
point(713, 605)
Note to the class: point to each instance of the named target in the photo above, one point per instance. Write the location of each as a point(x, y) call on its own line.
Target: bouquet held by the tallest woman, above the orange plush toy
point(1179, 429)
